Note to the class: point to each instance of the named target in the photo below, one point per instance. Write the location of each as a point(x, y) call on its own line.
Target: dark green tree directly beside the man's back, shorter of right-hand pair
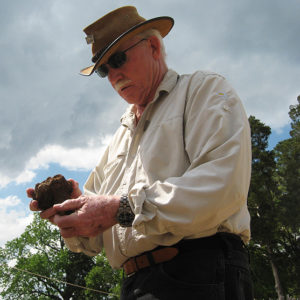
point(265, 214)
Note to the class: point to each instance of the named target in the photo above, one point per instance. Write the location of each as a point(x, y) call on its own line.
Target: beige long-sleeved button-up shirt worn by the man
point(186, 167)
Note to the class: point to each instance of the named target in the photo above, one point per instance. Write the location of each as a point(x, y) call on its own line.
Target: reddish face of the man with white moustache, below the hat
point(136, 80)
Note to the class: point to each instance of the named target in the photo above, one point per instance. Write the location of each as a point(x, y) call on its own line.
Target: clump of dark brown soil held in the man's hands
point(52, 191)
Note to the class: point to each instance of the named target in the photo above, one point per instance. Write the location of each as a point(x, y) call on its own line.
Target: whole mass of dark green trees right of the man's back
point(275, 209)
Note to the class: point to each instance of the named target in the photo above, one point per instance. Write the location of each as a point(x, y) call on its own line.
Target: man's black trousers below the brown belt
point(219, 272)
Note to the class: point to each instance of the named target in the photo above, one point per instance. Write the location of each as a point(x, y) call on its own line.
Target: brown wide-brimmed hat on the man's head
point(116, 27)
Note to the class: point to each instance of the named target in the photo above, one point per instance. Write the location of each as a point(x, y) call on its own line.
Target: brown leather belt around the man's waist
point(154, 257)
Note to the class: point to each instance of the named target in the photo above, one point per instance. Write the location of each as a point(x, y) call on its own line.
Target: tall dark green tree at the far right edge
point(287, 154)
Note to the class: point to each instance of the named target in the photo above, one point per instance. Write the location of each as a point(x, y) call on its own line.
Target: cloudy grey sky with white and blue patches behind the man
point(55, 121)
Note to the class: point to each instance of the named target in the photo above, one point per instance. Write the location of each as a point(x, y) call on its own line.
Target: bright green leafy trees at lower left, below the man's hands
point(41, 250)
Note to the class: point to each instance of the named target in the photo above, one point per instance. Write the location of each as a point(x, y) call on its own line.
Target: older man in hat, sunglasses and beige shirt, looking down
point(167, 200)
